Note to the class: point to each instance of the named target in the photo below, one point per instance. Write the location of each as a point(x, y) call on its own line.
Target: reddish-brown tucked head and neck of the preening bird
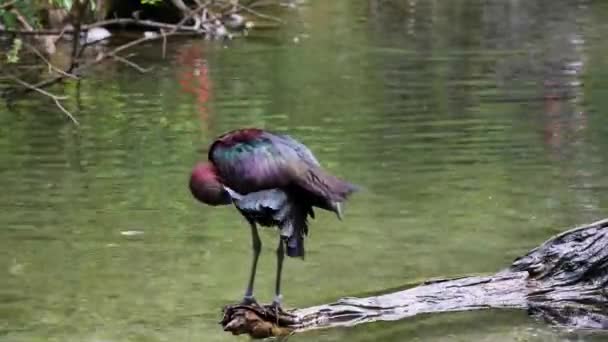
point(206, 186)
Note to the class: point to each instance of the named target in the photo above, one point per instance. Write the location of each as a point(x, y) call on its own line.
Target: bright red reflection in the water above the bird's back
point(193, 77)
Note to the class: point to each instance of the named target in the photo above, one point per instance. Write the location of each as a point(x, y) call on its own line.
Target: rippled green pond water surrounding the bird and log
point(477, 128)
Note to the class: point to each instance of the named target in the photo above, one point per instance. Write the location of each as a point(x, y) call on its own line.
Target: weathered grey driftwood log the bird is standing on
point(562, 281)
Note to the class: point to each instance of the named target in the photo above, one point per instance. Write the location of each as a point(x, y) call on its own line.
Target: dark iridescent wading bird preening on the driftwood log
point(273, 180)
